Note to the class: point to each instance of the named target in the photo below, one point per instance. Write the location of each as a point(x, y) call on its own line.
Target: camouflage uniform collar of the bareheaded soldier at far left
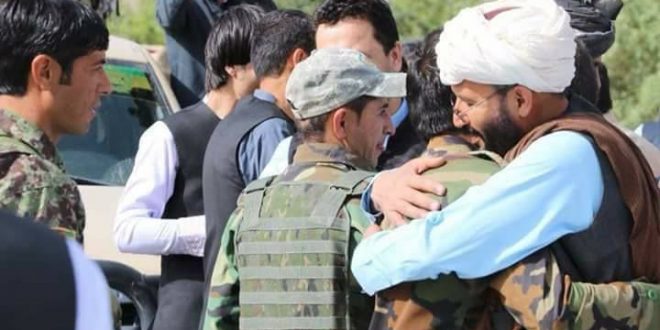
point(15, 127)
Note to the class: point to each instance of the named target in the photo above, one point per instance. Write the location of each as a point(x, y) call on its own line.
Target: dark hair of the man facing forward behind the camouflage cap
point(377, 12)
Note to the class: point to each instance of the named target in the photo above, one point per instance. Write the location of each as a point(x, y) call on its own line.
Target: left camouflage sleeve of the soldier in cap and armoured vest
point(222, 309)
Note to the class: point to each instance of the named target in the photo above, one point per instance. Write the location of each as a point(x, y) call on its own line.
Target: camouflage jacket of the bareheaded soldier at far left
point(33, 182)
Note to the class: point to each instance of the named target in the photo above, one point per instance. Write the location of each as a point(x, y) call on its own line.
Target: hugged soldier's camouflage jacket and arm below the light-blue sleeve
point(533, 294)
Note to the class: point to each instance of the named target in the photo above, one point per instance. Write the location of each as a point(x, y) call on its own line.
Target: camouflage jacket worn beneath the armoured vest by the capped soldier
point(312, 162)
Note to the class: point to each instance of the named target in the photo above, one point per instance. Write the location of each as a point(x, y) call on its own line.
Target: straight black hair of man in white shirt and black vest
point(229, 43)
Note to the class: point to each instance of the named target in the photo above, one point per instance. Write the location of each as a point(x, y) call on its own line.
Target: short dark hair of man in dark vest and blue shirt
point(277, 35)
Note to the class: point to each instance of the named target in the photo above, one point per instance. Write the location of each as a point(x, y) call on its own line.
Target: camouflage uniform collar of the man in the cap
point(329, 153)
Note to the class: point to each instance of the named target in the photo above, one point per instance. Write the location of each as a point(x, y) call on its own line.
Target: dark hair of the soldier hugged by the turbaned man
point(429, 101)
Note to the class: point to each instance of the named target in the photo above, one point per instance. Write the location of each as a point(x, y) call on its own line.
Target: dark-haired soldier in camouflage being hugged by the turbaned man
point(532, 292)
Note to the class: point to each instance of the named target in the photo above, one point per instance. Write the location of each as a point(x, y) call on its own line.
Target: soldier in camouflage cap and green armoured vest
point(290, 240)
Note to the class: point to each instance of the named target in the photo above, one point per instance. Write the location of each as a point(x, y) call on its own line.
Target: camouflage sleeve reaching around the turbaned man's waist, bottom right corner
point(538, 296)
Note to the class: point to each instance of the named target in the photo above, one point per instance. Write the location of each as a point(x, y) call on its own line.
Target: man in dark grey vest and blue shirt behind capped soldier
point(243, 143)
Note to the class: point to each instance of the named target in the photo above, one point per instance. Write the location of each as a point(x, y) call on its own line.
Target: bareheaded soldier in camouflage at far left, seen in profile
point(51, 78)
